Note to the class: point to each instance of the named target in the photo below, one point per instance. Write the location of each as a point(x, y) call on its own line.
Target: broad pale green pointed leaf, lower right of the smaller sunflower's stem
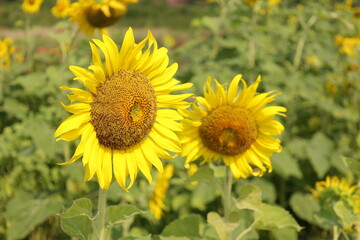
point(274, 217)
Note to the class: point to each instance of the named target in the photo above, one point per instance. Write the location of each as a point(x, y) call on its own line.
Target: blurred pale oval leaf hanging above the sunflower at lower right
point(319, 152)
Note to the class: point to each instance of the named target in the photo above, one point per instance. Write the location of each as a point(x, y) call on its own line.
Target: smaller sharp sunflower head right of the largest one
point(236, 127)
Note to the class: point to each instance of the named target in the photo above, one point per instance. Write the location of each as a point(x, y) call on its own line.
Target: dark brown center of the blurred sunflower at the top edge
point(98, 19)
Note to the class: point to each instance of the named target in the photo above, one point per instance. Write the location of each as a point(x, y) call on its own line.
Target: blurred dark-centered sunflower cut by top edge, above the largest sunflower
point(90, 15)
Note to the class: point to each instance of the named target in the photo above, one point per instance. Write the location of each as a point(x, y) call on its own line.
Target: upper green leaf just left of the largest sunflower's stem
point(80, 207)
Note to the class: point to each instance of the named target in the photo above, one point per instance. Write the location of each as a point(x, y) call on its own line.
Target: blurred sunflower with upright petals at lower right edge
point(334, 189)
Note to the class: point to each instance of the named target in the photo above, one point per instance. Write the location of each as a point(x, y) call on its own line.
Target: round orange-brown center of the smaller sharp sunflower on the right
point(228, 130)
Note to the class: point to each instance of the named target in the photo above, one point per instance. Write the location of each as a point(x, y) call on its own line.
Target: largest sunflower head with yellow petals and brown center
point(125, 122)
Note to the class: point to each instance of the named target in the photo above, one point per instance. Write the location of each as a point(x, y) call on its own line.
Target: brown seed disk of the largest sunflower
point(123, 110)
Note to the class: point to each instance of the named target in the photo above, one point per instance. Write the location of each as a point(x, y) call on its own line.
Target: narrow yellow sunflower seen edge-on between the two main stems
point(156, 203)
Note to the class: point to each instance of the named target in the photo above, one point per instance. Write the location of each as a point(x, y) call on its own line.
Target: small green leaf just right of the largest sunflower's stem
point(119, 214)
